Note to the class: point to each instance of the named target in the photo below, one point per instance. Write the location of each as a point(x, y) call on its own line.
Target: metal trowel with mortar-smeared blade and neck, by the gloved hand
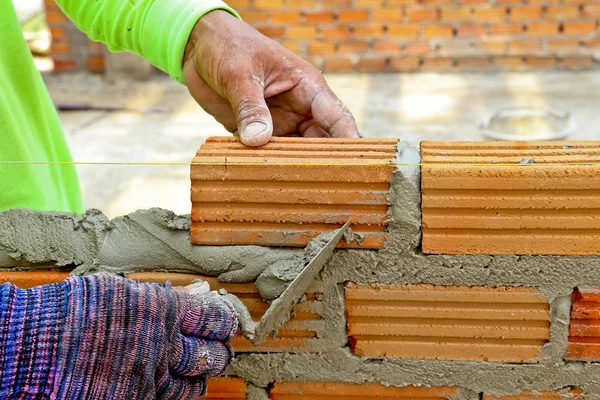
point(281, 308)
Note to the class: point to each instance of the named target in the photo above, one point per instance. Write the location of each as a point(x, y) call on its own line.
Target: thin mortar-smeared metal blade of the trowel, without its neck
point(280, 309)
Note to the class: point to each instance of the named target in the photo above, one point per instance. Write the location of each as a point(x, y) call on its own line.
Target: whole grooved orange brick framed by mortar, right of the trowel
point(447, 322)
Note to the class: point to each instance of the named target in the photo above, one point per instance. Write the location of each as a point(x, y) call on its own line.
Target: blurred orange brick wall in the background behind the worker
point(406, 35)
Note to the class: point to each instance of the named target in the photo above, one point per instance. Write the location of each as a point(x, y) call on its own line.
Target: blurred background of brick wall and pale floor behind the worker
point(414, 69)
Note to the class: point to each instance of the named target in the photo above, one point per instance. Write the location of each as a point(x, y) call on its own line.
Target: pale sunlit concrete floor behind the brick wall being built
point(413, 107)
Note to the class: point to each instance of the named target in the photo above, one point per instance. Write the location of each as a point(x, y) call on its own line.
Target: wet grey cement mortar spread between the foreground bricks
point(157, 240)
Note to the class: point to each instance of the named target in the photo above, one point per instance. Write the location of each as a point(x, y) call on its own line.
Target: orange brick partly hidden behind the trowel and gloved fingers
point(297, 333)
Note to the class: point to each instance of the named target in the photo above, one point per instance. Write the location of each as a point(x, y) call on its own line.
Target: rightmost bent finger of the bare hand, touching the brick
point(333, 116)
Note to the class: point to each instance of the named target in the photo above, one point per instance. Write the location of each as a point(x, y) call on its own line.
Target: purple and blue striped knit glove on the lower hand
point(106, 337)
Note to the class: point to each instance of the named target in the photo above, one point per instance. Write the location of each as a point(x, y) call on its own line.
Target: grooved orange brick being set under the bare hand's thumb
point(290, 190)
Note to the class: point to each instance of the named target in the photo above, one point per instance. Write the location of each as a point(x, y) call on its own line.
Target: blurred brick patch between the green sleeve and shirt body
point(71, 50)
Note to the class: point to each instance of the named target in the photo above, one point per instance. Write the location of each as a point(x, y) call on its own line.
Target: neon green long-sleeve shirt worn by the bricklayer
point(30, 129)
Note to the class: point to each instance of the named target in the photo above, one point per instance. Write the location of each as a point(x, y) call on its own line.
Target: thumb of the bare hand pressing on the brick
point(254, 122)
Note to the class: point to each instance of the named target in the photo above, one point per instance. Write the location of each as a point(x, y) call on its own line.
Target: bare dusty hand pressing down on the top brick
point(257, 88)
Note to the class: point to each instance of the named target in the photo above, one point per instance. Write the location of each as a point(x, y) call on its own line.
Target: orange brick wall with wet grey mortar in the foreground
point(499, 300)
